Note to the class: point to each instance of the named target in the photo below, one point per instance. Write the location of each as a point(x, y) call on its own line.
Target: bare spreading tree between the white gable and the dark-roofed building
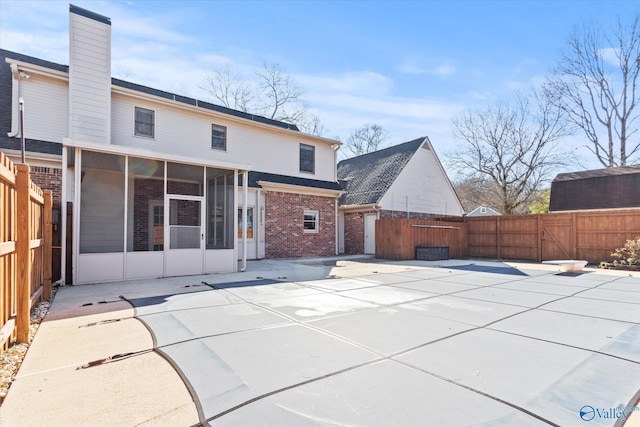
point(513, 145)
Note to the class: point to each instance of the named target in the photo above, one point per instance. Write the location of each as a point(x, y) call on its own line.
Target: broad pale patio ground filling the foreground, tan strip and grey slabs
point(339, 341)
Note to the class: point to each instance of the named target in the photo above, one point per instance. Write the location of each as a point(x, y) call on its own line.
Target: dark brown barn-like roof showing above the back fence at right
point(617, 187)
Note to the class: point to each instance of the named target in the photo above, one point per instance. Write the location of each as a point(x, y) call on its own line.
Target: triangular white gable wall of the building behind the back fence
point(422, 186)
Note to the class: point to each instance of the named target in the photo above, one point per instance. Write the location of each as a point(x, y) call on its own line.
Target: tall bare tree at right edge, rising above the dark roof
point(596, 84)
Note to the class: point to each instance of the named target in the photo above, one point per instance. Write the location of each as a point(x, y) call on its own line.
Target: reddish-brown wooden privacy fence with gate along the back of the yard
point(587, 235)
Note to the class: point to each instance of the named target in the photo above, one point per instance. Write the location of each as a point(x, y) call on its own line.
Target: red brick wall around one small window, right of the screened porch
point(284, 232)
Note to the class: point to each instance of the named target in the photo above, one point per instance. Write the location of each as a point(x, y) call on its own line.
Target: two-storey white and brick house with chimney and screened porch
point(154, 184)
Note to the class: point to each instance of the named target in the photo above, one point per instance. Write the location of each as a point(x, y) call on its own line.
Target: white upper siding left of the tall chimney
point(45, 108)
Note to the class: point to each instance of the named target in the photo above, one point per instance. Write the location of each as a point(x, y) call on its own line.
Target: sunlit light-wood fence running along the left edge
point(25, 249)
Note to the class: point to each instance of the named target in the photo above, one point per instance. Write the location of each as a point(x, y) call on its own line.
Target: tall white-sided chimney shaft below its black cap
point(89, 79)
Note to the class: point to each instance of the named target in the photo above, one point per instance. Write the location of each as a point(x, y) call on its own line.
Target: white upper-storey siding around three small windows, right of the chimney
point(188, 133)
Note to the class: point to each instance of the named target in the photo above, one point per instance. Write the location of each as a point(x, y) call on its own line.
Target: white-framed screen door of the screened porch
point(185, 235)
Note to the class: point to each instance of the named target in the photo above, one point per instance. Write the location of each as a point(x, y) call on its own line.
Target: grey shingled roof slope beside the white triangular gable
point(367, 178)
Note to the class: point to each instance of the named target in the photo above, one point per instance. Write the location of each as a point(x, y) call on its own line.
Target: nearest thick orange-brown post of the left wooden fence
point(23, 239)
